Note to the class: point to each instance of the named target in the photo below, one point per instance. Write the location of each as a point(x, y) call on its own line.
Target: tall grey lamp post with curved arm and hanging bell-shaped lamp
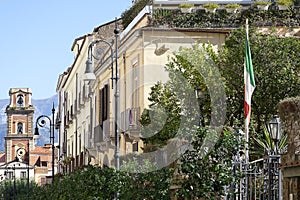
point(89, 76)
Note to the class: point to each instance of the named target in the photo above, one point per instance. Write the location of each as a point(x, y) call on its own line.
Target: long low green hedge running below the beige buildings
point(97, 183)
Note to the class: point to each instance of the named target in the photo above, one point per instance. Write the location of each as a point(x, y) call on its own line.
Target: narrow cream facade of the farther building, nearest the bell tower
point(73, 115)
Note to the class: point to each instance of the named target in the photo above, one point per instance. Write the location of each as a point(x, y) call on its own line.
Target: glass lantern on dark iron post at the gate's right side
point(274, 173)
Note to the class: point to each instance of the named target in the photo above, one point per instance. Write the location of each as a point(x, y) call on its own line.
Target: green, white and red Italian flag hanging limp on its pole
point(249, 83)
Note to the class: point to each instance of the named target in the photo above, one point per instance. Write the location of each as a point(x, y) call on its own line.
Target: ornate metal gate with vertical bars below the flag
point(260, 179)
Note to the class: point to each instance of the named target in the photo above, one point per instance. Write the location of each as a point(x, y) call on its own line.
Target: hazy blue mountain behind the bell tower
point(41, 107)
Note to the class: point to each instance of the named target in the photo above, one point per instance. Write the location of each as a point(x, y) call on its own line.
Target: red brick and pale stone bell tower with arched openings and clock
point(19, 136)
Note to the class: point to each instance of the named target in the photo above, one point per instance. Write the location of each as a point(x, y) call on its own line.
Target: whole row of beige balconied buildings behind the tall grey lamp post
point(87, 107)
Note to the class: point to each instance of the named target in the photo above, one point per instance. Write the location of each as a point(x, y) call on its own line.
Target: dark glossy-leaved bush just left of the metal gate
point(205, 176)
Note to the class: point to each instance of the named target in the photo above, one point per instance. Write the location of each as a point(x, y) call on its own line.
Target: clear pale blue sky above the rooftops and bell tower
point(36, 38)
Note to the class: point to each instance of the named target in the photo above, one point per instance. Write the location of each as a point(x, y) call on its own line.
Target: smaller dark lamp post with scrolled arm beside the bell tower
point(40, 121)
